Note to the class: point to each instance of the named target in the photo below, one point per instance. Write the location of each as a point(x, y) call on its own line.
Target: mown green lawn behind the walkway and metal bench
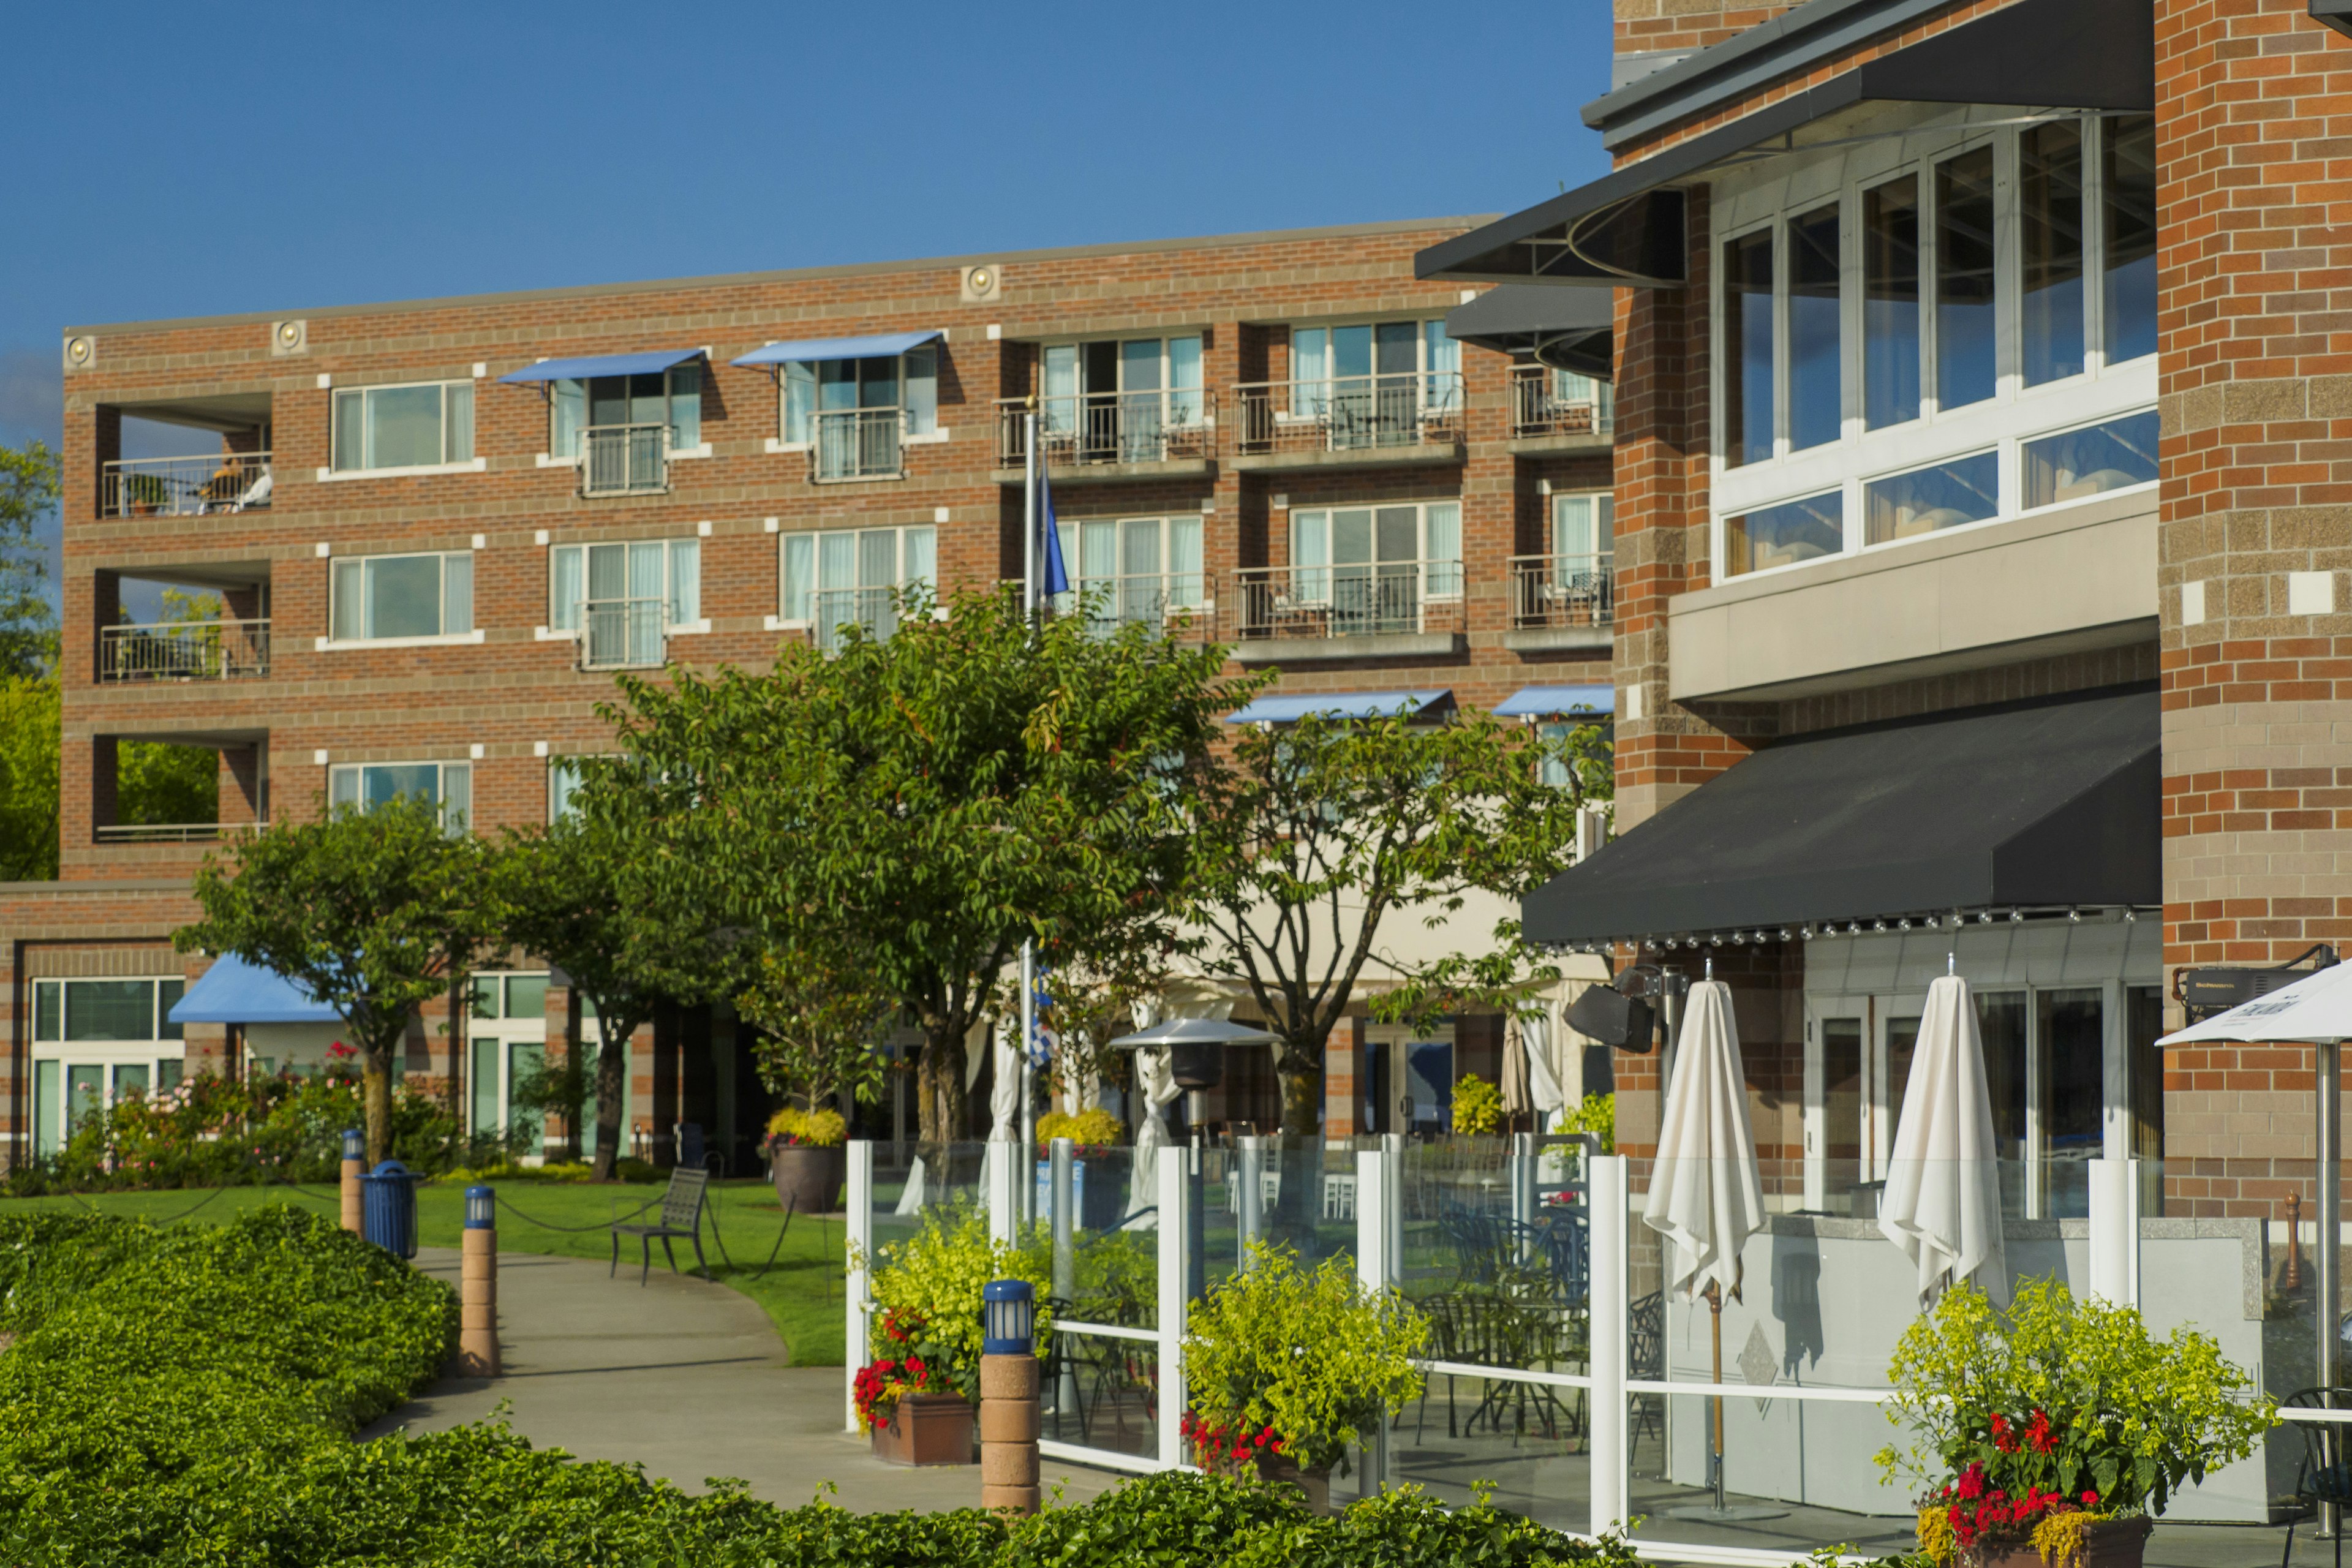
point(801, 1294)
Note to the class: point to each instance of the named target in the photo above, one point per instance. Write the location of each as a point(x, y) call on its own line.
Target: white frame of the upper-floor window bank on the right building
point(2005, 422)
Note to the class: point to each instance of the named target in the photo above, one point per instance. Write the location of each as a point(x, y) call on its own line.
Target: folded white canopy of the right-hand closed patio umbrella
point(1944, 1184)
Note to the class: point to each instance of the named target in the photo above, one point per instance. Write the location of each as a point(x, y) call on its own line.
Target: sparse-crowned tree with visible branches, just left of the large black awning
point(1316, 836)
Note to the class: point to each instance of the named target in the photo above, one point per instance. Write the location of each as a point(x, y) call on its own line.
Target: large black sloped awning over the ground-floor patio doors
point(1998, 808)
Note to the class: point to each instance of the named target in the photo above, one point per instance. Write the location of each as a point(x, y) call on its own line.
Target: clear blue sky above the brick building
point(192, 161)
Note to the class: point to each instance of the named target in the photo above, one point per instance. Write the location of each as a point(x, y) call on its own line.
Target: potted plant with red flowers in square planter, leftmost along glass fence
point(918, 1393)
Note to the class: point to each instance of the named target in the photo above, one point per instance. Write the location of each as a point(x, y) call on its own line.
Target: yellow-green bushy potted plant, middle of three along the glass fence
point(1290, 1367)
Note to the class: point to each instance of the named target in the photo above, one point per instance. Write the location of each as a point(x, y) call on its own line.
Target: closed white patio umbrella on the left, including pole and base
point(1706, 1193)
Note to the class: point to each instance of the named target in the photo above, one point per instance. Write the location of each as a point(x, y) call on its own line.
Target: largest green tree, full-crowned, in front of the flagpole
point(928, 798)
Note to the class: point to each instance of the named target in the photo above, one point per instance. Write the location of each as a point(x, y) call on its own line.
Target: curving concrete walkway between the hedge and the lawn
point(686, 1379)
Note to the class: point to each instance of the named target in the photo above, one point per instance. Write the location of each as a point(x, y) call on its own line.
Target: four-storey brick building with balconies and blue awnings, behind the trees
point(403, 523)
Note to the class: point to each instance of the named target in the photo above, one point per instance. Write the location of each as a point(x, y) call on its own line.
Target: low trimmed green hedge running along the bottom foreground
point(187, 1398)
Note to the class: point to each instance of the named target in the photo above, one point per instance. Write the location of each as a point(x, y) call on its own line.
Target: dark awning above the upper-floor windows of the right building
point(1626, 227)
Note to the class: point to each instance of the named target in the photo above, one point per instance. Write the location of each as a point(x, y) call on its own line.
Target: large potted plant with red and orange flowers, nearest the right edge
point(2052, 1433)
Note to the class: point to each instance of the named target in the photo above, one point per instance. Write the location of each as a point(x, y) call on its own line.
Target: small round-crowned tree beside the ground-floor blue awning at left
point(368, 911)
